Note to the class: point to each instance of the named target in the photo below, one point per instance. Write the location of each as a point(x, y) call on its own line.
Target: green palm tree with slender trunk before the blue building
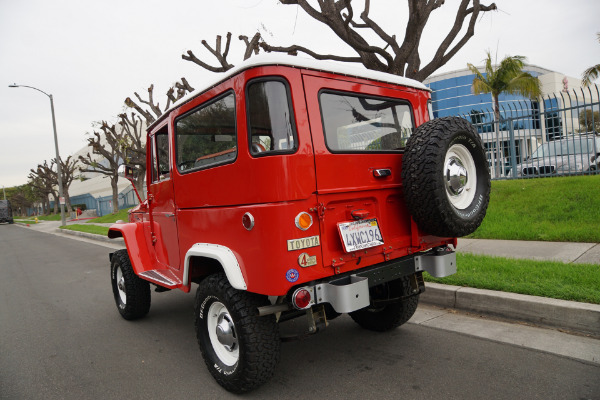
point(507, 77)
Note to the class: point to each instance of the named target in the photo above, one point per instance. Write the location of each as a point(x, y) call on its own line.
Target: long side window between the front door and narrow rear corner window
point(206, 136)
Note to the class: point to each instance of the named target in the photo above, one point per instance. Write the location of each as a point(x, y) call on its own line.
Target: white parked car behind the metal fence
point(575, 155)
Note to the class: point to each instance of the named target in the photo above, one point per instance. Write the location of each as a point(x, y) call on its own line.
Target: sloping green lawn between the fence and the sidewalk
point(563, 209)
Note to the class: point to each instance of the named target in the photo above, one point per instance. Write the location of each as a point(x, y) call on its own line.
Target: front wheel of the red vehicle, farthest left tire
point(136, 303)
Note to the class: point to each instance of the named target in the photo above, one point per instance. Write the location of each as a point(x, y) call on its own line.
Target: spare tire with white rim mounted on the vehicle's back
point(446, 178)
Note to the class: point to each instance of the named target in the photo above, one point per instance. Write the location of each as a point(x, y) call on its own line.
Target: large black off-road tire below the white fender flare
point(258, 342)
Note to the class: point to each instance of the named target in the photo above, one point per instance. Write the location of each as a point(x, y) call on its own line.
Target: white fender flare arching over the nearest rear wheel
point(223, 255)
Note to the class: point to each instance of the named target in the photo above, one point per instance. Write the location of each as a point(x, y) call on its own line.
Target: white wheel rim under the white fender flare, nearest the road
point(222, 334)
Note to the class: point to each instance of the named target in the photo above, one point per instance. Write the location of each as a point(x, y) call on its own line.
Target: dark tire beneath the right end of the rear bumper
point(390, 316)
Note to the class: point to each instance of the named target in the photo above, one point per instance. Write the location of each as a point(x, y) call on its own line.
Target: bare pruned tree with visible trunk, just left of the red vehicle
point(111, 153)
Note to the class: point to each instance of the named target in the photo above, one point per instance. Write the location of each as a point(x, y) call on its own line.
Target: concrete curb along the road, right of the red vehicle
point(542, 311)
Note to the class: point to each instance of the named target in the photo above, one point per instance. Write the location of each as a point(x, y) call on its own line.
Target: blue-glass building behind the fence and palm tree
point(524, 123)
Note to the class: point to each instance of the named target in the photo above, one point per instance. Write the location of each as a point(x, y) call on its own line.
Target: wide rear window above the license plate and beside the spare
point(355, 123)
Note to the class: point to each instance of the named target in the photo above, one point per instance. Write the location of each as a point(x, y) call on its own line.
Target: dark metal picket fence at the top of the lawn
point(559, 135)
